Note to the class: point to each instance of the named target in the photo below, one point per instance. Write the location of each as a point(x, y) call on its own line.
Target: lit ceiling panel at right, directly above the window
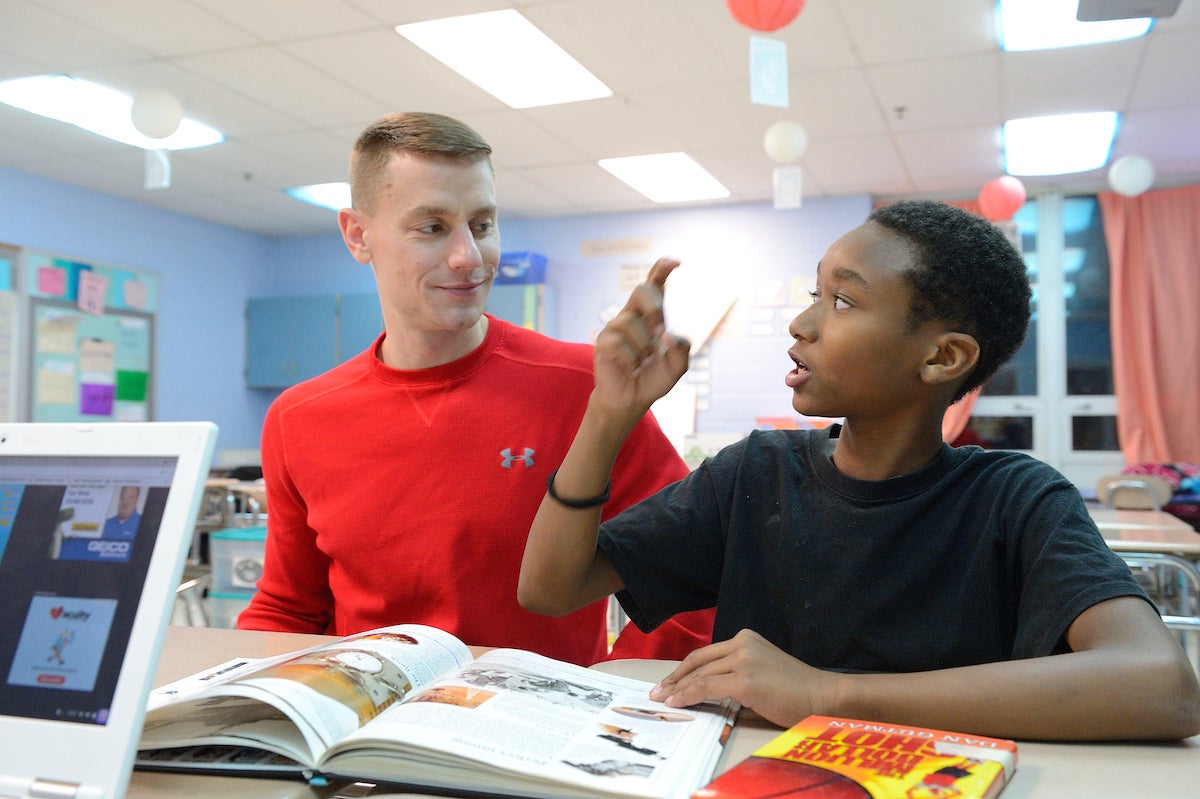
point(1059, 146)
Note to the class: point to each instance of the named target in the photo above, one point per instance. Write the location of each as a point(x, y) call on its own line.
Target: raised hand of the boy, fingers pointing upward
point(637, 359)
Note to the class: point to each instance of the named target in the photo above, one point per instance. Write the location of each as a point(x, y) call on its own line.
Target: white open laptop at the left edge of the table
point(95, 524)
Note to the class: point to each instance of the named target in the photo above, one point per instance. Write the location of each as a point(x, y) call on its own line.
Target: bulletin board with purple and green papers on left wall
point(92, 335)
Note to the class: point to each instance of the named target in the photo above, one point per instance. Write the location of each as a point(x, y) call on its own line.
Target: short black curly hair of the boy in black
point(965, 273)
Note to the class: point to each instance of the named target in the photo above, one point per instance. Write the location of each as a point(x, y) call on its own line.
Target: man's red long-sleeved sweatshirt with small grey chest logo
point(407, 496)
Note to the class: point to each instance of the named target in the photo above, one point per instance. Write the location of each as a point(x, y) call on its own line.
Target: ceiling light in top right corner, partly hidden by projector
point(1045, 25)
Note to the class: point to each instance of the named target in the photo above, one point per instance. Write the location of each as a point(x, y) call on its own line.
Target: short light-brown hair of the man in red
point(431, 135)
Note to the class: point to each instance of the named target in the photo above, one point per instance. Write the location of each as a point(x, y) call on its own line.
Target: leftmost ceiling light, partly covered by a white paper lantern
point(98, 110)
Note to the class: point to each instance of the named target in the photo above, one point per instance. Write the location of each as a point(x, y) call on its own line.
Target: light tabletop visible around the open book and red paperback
point(1045, 771)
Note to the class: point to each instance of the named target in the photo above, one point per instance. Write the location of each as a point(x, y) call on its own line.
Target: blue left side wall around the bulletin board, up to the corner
point(206, 274)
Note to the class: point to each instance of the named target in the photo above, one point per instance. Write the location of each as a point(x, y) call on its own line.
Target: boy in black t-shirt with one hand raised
point(871, 572)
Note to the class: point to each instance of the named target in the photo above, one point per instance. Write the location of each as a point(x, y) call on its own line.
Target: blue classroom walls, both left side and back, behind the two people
point(207, 272)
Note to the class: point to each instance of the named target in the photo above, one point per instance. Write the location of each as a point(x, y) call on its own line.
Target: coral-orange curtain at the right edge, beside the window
point(1155, 260)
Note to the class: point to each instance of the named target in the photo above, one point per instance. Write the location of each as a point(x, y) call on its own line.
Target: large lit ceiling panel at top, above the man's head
point(507, 57)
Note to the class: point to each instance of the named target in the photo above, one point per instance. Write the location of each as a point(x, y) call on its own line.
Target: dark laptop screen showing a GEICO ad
point(76, 540)
